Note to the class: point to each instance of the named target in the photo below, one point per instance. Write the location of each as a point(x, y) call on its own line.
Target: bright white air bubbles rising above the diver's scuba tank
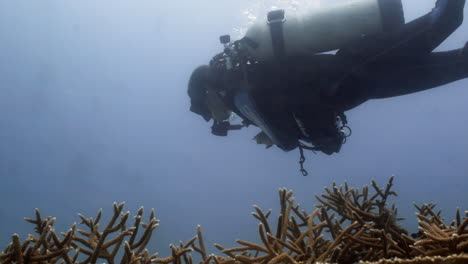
point(259, 9)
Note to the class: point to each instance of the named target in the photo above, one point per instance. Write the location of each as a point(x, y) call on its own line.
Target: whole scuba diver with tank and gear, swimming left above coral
point(282, 77)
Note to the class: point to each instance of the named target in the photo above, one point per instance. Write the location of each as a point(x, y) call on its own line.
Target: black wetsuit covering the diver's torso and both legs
point(319, 87)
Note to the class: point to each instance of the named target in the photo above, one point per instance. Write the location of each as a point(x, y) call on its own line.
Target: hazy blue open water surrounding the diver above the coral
point(94, 109)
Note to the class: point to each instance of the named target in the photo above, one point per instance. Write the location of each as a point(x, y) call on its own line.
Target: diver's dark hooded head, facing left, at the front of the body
point(197, 91)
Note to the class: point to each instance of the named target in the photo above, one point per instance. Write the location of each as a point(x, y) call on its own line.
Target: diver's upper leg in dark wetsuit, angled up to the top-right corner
point(418, 37)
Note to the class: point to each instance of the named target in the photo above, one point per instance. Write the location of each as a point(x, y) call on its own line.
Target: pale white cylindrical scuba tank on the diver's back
point(325, 29)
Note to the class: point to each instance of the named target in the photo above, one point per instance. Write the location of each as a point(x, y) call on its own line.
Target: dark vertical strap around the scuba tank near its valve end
point(275, 20)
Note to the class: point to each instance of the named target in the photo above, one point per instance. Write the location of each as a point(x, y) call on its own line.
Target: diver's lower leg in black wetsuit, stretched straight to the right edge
point(395, 78)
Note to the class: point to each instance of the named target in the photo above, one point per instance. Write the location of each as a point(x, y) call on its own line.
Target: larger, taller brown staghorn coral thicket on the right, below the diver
point(351, 225)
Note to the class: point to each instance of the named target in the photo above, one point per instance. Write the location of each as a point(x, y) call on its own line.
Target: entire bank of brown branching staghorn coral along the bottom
point(348, 225)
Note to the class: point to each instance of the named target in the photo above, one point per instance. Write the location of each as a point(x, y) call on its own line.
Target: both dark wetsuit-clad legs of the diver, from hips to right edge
point(400, 62)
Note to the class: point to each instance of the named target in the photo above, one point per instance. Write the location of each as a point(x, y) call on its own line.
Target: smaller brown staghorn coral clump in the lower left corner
point(80, 246)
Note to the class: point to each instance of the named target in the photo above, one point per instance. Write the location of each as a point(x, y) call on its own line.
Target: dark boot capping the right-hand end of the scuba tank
point(392, 14)
